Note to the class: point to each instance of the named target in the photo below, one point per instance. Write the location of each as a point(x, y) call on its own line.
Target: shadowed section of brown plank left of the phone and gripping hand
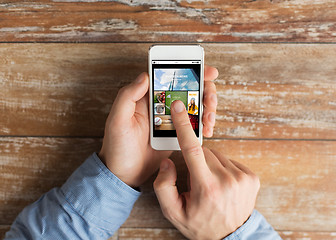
point(62, 90)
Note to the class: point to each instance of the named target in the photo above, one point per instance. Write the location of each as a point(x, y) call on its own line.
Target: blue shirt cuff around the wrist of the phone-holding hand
point(99, 196)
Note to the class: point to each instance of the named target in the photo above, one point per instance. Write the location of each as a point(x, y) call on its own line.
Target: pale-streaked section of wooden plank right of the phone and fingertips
point(275, 91)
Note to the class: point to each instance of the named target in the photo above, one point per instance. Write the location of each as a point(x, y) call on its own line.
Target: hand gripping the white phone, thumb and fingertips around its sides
point(126, 150)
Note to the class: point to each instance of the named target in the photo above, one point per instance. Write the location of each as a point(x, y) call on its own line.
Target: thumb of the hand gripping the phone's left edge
point(124, 106)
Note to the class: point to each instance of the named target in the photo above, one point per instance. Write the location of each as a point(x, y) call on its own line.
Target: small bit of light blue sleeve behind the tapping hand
point(256, 227)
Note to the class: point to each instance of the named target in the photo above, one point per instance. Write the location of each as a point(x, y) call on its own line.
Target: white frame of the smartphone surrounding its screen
point(174, 52)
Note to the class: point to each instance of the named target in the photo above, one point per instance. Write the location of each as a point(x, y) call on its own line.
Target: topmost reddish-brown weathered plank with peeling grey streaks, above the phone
point(168, 21)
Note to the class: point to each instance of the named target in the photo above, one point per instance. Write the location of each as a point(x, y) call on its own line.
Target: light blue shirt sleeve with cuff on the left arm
point(92, 204)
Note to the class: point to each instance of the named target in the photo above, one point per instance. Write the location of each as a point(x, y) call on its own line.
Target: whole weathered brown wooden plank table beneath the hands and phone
point(63, 61)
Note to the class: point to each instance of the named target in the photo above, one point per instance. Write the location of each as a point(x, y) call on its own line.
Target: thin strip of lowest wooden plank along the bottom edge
point(159, 233)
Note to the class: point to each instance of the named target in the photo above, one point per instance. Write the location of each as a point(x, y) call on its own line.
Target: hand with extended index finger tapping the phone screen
point(222, 192)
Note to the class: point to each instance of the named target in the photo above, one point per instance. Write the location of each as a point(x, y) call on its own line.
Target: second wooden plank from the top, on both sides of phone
point(284, 91)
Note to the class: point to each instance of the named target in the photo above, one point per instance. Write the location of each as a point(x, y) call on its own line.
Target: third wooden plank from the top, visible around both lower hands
point(297, 178)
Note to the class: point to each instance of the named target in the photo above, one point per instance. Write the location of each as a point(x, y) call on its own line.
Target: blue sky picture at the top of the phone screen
point(175, 79)
